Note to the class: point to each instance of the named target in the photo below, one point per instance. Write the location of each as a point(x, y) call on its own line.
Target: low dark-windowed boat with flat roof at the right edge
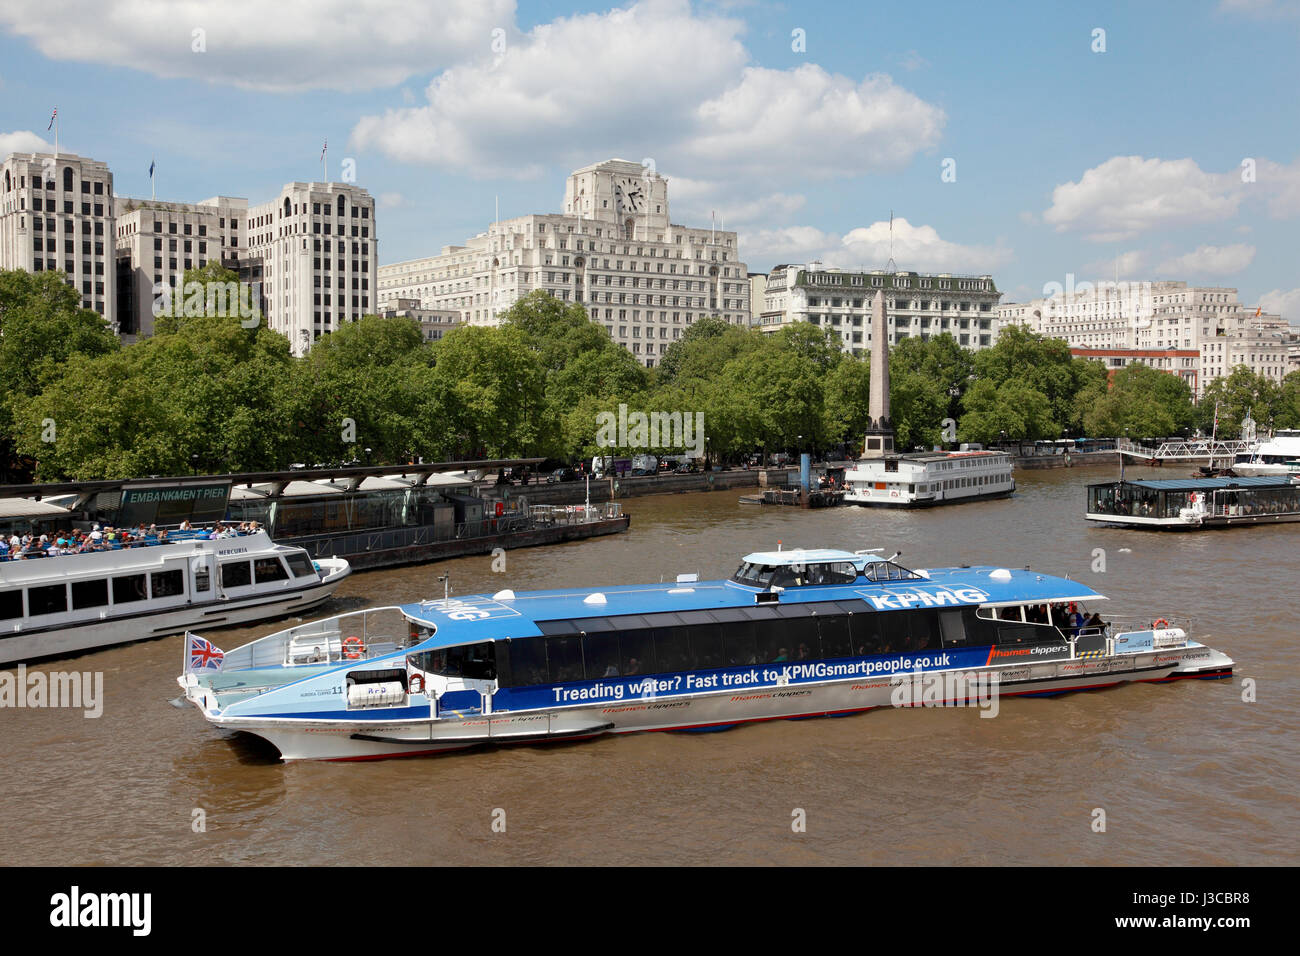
point(1210, 503)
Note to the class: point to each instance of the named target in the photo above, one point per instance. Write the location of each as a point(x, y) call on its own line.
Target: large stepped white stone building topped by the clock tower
point(614, 249)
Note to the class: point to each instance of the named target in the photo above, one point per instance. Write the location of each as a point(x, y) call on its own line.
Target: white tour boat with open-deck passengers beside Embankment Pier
point(75, 603)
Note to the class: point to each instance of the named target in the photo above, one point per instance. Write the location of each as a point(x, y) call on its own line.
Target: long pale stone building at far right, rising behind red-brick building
point(1145, 317)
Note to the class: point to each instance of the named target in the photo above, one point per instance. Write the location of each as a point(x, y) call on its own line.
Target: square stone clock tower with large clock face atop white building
point(631, 197)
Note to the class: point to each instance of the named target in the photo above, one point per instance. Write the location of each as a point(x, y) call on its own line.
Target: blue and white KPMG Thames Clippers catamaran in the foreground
point(790, 635)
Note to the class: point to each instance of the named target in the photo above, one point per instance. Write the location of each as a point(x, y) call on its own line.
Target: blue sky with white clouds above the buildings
point(1034, 142)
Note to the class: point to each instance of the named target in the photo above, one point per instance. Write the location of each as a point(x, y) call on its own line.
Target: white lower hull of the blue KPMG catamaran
point(376, 738)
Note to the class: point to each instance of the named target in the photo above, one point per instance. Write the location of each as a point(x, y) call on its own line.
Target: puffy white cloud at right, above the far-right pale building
point(1128, 196)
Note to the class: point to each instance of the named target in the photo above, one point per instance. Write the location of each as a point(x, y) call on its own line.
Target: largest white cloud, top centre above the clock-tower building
point(578, 89)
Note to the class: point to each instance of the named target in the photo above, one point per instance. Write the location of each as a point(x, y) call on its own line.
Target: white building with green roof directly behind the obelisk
point(917, 305)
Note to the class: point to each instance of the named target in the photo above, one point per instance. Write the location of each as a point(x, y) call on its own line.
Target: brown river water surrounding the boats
point(1186, 773)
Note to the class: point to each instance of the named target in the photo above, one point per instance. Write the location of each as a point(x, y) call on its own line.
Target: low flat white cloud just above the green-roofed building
point(915, 249)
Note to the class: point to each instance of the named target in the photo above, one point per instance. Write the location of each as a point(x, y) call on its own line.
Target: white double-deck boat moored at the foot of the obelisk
point(925, 479)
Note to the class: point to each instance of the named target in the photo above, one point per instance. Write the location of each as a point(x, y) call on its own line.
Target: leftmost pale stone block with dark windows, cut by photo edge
point(57, 214)
